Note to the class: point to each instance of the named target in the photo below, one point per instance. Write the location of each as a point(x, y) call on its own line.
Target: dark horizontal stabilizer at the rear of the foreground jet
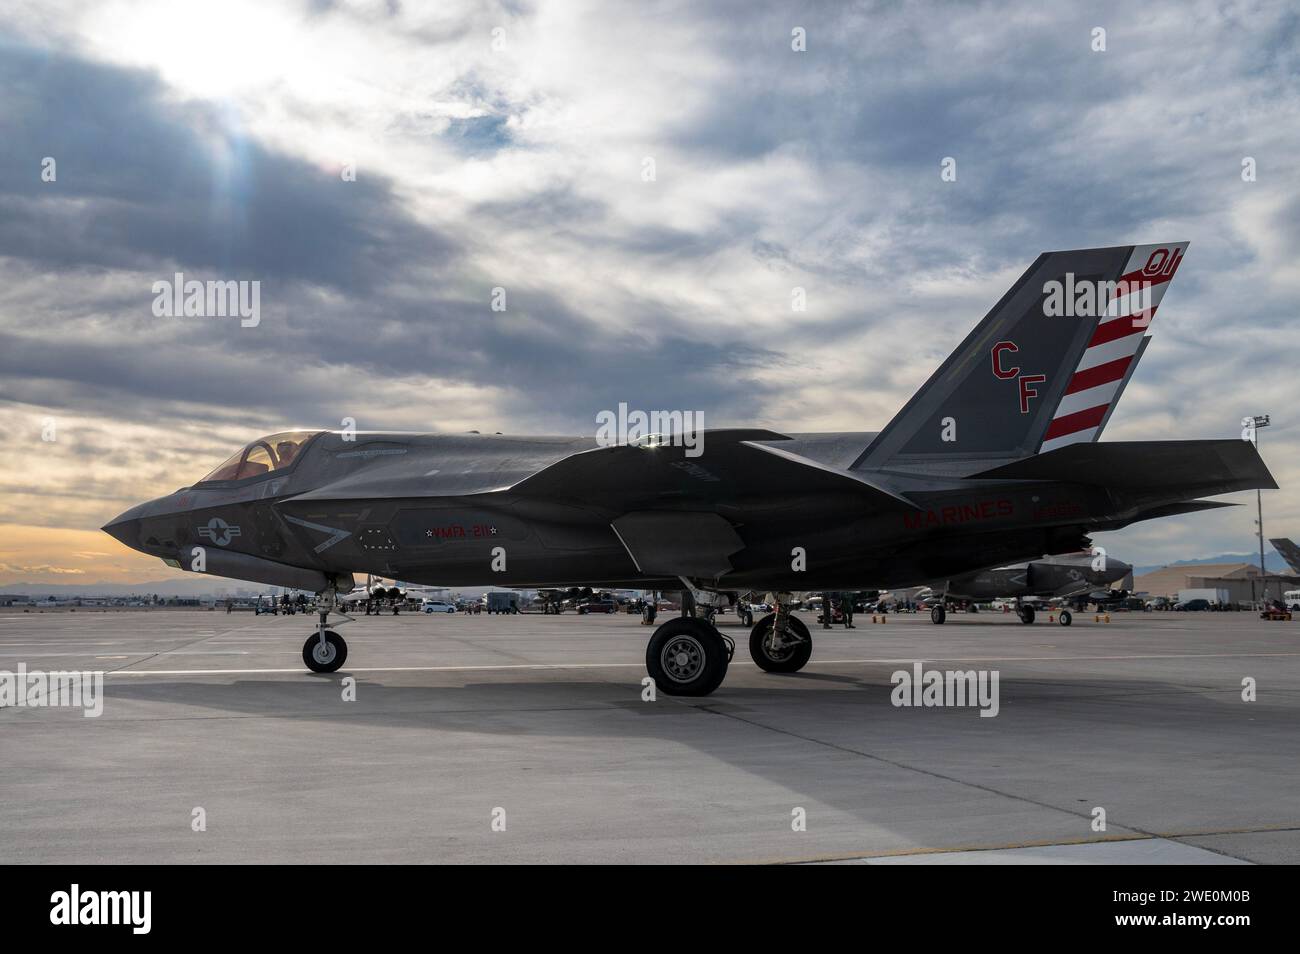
point(1204, 467)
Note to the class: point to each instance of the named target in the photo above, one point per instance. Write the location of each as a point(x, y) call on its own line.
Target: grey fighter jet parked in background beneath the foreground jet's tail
point(1069, 575)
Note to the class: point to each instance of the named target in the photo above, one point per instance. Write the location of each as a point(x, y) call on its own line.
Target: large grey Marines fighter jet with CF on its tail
point(994, 461)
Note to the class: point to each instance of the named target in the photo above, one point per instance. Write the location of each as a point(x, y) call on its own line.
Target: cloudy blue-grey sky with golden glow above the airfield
point(505, 146)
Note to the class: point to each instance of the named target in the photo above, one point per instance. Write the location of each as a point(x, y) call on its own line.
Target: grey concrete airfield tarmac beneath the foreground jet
point(458, 718)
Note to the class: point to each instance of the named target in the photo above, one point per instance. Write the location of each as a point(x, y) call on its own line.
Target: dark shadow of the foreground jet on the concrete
point(1163, 757)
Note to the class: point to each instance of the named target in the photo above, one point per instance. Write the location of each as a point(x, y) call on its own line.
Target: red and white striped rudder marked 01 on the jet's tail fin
point(1115, 345)
